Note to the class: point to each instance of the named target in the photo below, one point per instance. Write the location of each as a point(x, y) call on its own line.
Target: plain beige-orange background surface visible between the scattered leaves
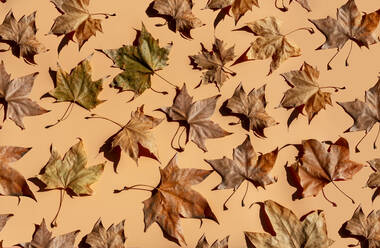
point(82, 212)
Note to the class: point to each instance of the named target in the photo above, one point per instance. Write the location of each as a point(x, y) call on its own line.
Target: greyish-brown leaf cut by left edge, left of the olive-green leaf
point(13, 95)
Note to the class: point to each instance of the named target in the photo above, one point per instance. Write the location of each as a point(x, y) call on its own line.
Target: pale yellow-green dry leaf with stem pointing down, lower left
point(69, 174)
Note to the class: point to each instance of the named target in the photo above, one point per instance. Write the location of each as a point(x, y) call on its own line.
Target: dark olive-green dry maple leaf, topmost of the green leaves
point(138, 62)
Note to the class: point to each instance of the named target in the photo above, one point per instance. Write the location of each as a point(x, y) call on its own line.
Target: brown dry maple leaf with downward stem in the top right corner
point(349, 25)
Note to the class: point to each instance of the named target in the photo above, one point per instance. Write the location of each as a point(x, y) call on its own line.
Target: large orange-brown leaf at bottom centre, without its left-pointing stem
point(174, 198)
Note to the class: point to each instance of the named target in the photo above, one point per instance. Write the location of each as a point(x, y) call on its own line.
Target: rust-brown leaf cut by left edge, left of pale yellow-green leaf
point(12, 182)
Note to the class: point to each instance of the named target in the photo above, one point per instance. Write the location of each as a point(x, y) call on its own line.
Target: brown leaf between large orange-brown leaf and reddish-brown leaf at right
point(246, 165)
